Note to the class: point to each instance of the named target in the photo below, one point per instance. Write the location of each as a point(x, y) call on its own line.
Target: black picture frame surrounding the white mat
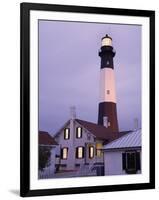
point(25, 9)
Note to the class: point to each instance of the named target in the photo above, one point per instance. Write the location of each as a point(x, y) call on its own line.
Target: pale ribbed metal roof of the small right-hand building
point(132, 139)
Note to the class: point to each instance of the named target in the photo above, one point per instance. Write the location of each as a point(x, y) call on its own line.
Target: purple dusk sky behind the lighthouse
point(69, 69)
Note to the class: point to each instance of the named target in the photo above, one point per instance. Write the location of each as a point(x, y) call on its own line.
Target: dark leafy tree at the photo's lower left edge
point(44, 157)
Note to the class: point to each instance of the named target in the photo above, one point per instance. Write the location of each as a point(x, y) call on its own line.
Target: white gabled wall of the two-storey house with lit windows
point(87, 139)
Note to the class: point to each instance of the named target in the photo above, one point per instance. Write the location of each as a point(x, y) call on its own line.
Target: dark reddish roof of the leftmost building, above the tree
point(46, 139)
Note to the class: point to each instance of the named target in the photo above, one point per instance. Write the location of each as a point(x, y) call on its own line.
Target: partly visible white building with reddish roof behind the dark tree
point(47, 141)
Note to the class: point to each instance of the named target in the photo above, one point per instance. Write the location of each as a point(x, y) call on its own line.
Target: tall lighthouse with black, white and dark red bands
point(107, 113)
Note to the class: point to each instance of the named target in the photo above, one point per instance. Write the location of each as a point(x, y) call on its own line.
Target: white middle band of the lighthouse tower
point(107, 85)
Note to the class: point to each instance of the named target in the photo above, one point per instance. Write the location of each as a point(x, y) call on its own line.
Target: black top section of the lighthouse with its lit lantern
point(107, 53)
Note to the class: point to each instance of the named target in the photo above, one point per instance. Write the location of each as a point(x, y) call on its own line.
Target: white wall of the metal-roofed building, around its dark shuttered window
point(113, 163)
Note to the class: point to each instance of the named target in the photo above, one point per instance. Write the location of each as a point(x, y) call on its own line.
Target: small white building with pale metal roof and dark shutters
point(123, 155)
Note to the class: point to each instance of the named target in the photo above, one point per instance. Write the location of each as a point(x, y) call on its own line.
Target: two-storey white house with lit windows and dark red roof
point(81, 143)
